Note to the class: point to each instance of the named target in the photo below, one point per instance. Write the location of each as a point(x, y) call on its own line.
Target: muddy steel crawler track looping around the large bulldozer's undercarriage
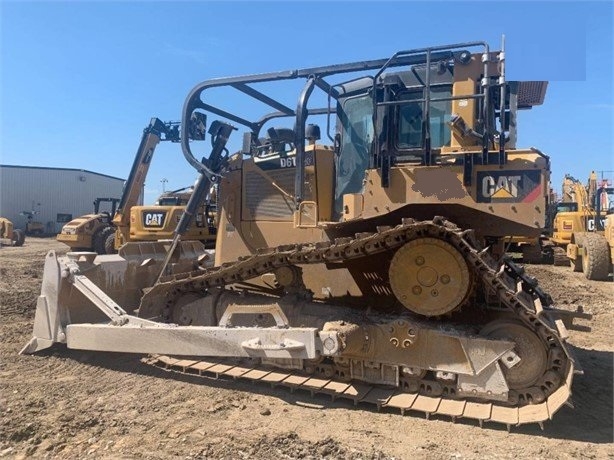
point(506, 284)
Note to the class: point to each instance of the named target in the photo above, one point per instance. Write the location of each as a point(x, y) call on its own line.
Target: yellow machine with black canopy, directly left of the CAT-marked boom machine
point(91, 232)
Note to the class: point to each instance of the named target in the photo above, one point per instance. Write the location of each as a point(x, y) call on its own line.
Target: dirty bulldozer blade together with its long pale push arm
point(89, 302)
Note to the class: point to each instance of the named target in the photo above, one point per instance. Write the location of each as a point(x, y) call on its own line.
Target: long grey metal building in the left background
point(52, 196)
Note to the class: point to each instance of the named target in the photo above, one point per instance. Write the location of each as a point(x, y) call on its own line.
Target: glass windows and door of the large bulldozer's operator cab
point(400, 131)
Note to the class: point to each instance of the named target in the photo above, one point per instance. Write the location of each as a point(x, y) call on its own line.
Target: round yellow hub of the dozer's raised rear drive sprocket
point(430, 277)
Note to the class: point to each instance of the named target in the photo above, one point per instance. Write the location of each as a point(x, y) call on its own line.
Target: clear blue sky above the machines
point(80, 80)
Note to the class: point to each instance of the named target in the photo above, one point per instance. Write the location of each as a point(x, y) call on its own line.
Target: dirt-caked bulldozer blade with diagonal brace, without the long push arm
point(83, 287)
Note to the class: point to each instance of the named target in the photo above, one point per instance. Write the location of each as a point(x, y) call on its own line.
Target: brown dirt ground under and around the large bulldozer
point(73, 404)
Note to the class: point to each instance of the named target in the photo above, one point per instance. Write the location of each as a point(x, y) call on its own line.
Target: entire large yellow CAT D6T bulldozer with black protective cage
point(369, 267)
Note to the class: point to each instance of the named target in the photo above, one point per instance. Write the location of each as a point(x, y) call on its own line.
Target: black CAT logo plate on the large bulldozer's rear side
point(509, 186)
